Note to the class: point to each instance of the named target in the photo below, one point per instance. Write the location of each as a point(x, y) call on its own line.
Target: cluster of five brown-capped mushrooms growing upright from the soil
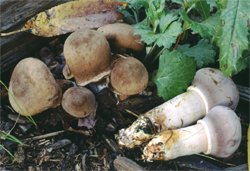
point(88, 59)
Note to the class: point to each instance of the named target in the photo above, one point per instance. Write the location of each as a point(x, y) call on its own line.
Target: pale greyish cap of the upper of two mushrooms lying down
point(216, 88)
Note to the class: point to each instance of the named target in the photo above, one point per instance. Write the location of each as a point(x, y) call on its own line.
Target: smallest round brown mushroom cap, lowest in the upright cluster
point(79, 102)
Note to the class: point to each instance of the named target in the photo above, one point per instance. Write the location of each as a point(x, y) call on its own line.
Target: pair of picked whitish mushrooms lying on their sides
point(218, 133)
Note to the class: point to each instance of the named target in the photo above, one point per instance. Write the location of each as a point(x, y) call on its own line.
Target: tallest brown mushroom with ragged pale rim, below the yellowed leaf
point(87, 55)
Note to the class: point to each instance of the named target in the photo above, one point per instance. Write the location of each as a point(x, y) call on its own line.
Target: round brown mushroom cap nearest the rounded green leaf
point(129, 76)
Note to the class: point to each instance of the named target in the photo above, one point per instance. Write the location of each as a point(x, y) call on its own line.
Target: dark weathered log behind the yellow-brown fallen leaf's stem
point(13, 15)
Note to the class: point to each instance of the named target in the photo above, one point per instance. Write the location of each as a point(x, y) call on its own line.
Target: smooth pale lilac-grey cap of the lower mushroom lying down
point(223, 131)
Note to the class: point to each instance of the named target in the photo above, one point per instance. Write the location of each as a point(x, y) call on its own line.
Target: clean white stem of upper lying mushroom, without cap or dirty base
point(180, 111)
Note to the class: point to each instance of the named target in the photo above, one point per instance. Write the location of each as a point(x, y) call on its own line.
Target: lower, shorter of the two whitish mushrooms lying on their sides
point(218, 134)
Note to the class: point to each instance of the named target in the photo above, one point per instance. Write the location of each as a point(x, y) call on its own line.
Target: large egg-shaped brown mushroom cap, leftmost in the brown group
point(32, 88)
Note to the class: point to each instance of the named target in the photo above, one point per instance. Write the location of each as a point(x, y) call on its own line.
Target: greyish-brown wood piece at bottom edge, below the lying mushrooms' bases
point(123, 163)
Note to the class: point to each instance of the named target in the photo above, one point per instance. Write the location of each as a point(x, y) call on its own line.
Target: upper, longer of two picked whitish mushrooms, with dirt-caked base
point(209, 88)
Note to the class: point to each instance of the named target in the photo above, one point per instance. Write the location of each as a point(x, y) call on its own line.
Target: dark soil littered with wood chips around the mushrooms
point(57, 143)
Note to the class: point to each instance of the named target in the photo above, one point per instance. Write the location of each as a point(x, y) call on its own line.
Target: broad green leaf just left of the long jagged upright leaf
point(206, 28)
